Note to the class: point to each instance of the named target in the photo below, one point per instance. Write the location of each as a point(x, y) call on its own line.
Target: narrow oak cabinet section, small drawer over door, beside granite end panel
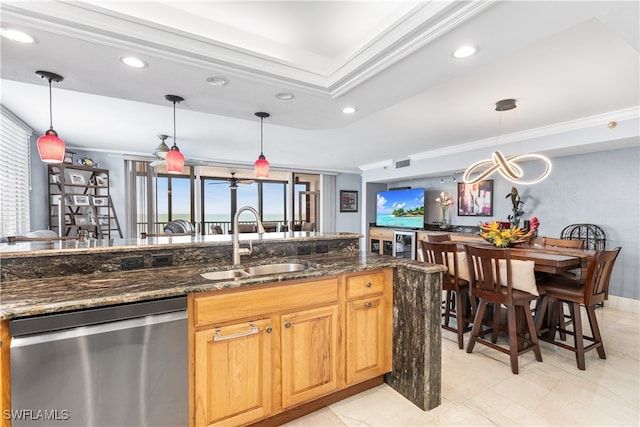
point(368, 329)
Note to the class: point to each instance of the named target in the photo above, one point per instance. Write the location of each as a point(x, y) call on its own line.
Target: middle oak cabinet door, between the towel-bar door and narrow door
point(309, 356)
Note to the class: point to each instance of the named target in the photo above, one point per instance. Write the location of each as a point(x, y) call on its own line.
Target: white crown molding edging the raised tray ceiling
point(415, 29)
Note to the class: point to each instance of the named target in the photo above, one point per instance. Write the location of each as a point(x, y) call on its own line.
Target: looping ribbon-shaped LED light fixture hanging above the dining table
point(506, 166)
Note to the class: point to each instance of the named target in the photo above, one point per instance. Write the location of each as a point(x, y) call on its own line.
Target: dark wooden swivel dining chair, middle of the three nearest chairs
point(494, 285)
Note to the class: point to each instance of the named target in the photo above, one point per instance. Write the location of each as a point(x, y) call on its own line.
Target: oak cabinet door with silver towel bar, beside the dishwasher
point(233, 374)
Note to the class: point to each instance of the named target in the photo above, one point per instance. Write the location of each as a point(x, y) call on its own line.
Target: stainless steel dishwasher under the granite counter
point(122, 365)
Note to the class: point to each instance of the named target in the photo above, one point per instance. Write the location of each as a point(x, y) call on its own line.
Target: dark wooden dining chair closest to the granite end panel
point(456, 304)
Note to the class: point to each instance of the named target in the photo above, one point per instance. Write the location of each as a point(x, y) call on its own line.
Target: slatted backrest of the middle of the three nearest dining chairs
point(485, 275)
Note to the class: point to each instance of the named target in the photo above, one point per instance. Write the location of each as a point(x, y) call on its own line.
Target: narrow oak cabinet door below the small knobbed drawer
point(368, 342)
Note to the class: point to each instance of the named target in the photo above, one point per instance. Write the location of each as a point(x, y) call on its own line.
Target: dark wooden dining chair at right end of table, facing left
point(559, 291)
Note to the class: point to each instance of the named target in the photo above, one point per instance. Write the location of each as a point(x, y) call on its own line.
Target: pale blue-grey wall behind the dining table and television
point(601, 188)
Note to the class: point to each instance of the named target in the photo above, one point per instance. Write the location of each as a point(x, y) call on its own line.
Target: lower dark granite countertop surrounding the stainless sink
point(20, 298)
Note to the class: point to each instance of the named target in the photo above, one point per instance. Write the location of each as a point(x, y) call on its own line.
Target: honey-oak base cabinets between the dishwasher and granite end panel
point(259, 351)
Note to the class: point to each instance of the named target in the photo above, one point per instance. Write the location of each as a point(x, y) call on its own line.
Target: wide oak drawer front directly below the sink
point(252, 301)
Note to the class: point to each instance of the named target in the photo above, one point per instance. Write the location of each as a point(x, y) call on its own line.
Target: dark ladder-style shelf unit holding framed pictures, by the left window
point(79, 201)
